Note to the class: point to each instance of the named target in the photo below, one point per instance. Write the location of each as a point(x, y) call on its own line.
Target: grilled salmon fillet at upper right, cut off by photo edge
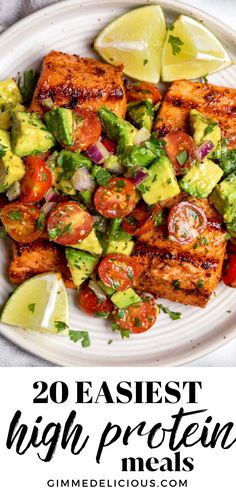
point(216, 102)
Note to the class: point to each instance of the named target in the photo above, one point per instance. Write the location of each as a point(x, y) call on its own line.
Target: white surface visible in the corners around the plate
point(11, 355)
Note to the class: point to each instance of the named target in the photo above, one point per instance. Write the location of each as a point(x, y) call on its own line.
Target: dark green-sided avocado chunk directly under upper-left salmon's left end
point(60, 123)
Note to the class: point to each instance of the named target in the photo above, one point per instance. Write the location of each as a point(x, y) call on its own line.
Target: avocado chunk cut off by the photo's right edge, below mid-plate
point(224, 198)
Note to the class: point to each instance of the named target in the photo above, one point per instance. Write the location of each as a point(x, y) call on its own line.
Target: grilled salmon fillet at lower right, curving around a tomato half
point(186, 273)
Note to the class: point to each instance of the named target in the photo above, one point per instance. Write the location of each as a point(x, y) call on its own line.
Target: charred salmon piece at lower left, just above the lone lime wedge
point(38, 257)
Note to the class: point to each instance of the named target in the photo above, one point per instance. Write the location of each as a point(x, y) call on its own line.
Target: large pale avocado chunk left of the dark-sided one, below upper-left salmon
point(29, 135)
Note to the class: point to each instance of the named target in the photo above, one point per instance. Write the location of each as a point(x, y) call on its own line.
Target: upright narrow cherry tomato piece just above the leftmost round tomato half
point(36, 181)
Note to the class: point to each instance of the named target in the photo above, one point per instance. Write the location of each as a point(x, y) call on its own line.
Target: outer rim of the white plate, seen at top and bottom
point(183, 8)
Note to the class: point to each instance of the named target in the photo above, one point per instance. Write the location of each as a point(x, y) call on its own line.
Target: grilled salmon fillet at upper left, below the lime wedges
point(71, 81)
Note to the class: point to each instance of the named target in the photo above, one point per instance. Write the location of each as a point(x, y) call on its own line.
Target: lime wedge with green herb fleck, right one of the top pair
point(191, 51)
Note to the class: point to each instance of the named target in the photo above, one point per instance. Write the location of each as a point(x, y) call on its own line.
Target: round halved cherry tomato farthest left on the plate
point(24, 223)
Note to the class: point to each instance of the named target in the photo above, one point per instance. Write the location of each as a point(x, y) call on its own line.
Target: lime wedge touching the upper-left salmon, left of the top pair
point(135, 40)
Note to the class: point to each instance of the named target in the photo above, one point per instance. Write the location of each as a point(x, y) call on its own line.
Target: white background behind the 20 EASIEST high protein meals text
point(214, 471)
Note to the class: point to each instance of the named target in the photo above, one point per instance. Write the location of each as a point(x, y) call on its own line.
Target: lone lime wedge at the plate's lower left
point(38, 303)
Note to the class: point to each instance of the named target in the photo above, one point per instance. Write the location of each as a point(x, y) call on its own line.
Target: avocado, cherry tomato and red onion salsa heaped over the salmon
point(95, 198)
